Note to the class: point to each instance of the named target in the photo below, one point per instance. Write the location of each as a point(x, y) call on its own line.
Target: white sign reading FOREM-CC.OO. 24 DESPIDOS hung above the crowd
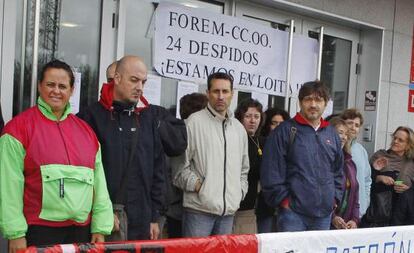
point(191, 43)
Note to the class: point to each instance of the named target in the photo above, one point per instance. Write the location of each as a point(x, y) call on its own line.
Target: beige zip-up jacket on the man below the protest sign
point(217, 155)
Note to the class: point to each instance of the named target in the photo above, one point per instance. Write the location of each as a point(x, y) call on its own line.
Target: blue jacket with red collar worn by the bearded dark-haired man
point(309, 173)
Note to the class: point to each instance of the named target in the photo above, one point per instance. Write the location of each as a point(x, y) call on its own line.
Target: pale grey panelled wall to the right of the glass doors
point(397, 17)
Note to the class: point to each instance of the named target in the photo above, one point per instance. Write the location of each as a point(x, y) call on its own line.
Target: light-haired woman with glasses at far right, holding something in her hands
point(392, 180)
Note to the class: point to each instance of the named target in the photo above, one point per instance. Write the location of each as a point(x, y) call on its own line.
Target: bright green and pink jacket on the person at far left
point(51, 174)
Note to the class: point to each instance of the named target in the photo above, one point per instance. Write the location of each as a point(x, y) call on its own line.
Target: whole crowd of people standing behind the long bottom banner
point(122, 168)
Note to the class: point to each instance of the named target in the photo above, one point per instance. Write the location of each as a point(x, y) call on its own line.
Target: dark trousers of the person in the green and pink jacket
point(43, 235)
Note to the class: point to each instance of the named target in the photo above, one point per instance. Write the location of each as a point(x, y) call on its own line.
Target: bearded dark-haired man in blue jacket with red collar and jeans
point(302, 165)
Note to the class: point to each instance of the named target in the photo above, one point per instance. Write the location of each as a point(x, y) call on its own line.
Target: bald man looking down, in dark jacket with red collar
point(131, 151)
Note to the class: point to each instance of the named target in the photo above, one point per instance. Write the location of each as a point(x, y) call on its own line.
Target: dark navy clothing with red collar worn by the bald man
point(143, 194)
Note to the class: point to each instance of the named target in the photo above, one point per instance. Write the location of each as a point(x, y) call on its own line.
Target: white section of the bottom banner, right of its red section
point(370, 240)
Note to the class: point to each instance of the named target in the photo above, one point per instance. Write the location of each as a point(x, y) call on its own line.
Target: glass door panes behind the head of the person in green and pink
point(68, 30)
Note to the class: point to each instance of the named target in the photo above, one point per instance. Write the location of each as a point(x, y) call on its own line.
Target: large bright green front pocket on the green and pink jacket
point(67, 192)
